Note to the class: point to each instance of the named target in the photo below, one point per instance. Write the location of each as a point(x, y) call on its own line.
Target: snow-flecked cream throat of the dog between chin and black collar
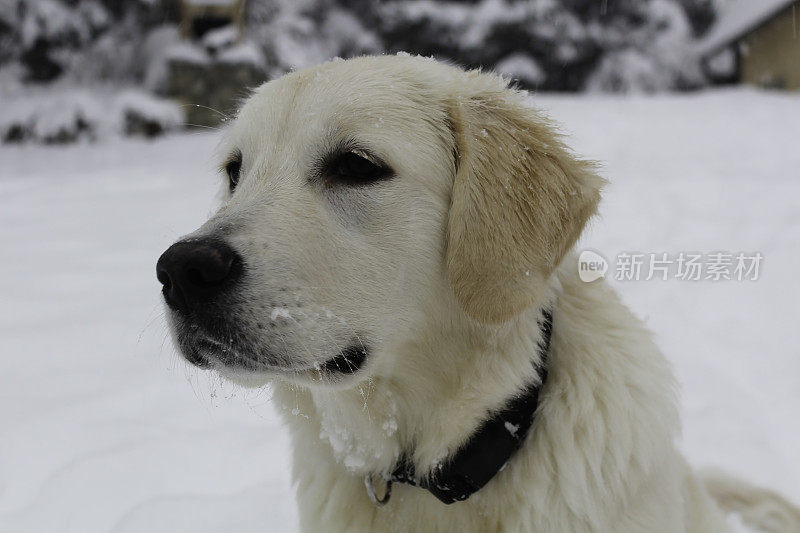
point(439, 391)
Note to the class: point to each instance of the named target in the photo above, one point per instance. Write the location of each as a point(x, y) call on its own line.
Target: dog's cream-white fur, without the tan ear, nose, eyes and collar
point(327, 265)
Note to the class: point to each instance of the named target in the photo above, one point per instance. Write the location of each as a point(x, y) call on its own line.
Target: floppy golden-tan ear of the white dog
point(520, 200)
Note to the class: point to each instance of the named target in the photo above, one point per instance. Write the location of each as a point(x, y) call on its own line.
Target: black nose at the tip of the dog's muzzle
point(195, 270)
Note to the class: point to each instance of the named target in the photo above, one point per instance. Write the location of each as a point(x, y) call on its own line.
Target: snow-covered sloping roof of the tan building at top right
point(737, 19)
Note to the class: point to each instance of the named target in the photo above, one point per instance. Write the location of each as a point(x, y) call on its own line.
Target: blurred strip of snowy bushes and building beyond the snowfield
point(207, 53)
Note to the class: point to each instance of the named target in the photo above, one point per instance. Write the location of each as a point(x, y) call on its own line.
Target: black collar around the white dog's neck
point(488, 450)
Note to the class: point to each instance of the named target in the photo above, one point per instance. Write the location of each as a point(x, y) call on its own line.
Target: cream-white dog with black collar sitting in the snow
point(392, 254)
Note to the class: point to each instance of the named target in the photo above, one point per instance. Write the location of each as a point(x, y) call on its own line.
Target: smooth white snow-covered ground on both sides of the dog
point(104, 429)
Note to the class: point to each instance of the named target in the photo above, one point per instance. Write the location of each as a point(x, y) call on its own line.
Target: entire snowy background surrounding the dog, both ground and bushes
point(110, 115)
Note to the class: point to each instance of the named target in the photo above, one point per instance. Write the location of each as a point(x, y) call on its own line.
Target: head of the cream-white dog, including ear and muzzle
point(368, 201)
